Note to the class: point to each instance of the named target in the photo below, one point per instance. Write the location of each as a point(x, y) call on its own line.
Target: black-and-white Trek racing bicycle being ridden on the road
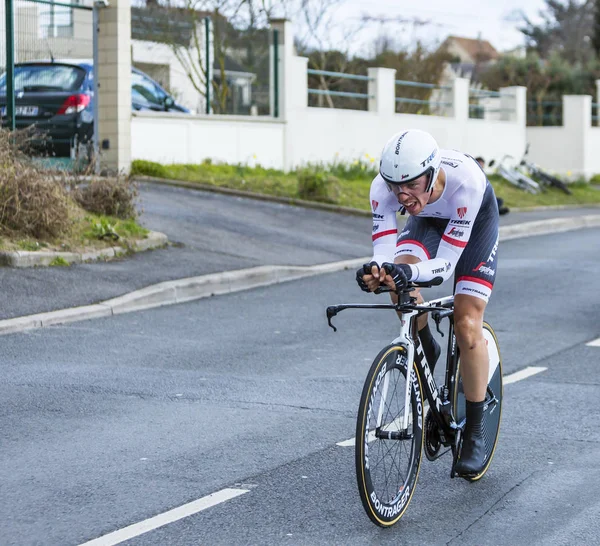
point(391, 428)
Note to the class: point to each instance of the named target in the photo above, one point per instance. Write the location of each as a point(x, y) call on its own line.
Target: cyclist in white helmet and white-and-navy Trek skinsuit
point(452, 228)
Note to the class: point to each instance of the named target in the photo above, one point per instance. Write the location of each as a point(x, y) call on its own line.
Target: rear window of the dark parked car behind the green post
point(46, 77)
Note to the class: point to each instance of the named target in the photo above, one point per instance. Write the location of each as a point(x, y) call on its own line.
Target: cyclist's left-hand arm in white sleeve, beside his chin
point(385, 229)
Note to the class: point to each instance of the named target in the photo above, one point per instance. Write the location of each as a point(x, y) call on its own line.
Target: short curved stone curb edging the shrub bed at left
point(24, 258)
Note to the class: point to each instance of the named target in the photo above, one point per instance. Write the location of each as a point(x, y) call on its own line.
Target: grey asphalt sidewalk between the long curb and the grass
point(211, 233)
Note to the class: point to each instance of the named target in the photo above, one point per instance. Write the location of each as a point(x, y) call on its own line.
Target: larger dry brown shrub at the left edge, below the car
point(33, 202)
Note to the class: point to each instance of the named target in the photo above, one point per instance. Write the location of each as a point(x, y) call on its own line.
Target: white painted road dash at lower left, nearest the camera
point(175, 514)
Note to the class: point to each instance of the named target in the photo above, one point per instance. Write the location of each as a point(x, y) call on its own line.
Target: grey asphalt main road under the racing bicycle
point(109, 422)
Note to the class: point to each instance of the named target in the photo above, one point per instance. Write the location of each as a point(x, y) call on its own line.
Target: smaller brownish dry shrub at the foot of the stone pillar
point(108, 196)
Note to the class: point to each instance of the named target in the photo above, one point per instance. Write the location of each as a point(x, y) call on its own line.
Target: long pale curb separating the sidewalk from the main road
point(194, 288)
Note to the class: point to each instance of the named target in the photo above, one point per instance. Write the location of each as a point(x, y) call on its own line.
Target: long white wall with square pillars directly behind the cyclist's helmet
point(303, 134)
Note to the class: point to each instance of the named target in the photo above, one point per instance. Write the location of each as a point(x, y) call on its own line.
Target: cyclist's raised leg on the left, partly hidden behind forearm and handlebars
point(419, 241)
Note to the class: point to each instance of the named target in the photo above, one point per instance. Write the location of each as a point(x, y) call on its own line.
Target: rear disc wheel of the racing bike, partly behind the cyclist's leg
point(492, 414)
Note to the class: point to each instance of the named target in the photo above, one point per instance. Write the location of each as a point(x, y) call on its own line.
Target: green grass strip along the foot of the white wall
point(353, 189)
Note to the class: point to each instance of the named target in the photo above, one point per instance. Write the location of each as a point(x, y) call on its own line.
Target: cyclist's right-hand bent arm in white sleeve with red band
point(465, 203)
